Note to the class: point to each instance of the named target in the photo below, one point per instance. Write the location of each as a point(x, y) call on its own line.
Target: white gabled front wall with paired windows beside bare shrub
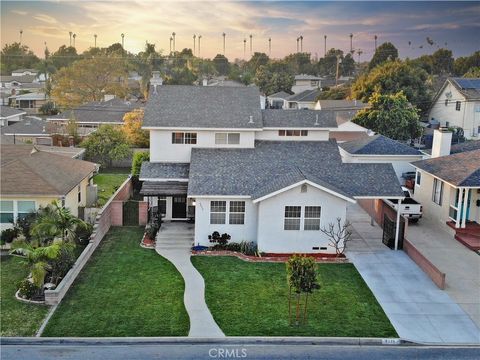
point(271, 236)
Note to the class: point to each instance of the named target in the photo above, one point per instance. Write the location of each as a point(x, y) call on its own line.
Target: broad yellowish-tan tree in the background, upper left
point(89, 80)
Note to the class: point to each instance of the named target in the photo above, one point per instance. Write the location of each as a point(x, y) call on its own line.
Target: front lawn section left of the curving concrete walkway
point(124, 290)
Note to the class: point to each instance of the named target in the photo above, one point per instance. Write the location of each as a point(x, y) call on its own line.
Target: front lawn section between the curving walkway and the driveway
point(251, 299)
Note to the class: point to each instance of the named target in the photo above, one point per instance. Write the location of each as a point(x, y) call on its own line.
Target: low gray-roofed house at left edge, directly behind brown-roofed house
point(30, 130)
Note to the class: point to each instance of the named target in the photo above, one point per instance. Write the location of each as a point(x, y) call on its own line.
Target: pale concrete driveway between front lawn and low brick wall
point(417, 309)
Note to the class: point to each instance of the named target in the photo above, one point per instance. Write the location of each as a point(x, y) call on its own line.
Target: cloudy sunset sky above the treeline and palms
point(454, 23)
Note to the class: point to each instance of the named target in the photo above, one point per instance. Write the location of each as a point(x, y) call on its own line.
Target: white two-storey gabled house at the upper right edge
point(457, 104)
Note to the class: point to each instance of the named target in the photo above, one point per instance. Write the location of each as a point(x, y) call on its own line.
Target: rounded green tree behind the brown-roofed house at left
point(105, 145)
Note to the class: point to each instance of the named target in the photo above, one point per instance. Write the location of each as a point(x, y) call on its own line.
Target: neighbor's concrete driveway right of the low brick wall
point(461, 265)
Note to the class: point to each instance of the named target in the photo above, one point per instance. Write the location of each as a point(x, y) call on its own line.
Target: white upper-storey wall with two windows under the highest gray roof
point(162, 149)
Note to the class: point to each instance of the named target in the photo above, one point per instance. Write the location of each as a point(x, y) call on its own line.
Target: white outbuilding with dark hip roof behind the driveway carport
point(380, 149)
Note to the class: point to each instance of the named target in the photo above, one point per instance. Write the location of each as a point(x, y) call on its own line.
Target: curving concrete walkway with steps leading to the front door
point(174, 241)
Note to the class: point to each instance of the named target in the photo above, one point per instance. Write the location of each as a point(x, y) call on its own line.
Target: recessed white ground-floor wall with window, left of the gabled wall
point(203, 228)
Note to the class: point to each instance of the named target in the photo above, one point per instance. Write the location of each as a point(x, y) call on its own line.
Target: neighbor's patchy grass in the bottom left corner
point(17, 318)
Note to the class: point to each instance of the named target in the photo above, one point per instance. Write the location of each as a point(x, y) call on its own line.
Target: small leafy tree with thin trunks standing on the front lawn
point(302, 279)
